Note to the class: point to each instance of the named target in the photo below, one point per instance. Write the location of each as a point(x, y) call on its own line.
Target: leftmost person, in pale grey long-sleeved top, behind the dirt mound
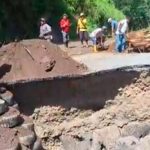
point(45, 30)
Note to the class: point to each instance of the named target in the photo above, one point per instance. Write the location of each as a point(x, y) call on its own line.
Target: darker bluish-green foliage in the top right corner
point(139, 10)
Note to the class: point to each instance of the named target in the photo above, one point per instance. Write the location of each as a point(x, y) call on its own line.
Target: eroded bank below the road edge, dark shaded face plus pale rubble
point(91, 112)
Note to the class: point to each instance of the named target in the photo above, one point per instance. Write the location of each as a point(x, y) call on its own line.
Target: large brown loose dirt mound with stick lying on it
point(35, 59)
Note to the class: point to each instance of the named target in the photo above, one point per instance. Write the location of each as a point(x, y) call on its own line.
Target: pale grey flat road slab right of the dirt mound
point(106, 61)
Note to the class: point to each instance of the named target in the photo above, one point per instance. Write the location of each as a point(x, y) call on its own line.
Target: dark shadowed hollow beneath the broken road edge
point(89, 92)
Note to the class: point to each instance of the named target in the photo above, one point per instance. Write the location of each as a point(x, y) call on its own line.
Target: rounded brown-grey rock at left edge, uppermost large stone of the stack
point(8, 98)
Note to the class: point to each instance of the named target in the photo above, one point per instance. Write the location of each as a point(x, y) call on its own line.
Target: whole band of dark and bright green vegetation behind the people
point(19, 18)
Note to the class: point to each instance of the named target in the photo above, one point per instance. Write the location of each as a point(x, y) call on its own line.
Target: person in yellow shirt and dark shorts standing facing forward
point(82, 29)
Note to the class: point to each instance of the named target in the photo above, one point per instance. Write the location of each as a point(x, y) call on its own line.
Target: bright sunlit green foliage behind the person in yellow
point(97, 11)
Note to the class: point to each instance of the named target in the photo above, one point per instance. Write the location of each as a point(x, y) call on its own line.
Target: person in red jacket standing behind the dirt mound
point(65, 29)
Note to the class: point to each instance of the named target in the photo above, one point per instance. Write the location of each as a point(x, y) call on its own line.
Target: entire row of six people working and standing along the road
point(118, 31)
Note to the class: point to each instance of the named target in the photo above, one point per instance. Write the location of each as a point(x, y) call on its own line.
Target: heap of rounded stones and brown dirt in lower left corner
point(16, 130)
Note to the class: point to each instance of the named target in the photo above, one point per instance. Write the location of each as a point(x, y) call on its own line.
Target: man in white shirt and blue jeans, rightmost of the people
point(121, 32)
